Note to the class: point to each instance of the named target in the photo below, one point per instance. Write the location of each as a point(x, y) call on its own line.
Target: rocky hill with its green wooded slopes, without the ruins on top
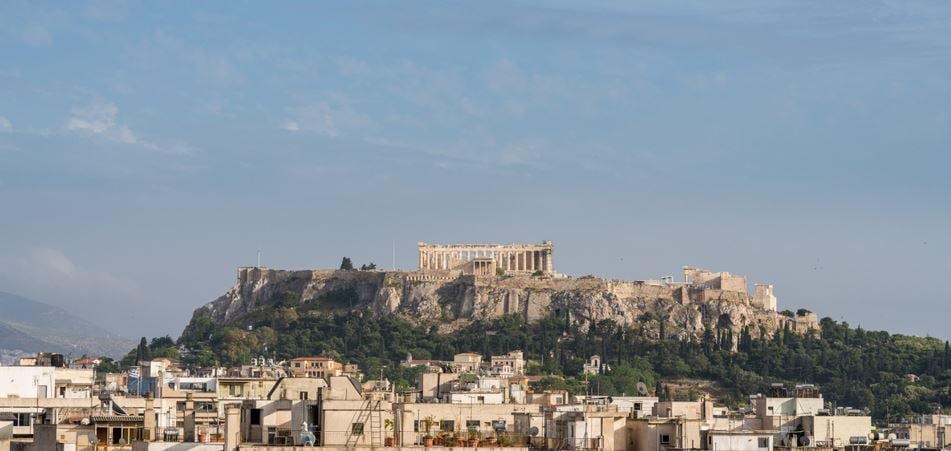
point(646, 332)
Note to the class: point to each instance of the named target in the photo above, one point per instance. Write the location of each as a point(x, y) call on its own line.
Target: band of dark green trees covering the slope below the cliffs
point(852, 366)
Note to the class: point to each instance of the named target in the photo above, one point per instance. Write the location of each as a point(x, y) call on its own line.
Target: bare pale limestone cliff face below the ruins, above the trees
point(684, 311)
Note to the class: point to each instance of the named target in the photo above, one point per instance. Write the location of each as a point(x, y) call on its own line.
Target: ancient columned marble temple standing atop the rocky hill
point(485, 259)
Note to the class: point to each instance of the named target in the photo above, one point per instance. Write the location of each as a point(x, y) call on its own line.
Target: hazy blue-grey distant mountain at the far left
point(32, 326)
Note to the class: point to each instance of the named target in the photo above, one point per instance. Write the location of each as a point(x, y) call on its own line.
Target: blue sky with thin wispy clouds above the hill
point(148, 149)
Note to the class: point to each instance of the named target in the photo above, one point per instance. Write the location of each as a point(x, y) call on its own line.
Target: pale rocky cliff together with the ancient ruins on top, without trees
point(456, 284)
